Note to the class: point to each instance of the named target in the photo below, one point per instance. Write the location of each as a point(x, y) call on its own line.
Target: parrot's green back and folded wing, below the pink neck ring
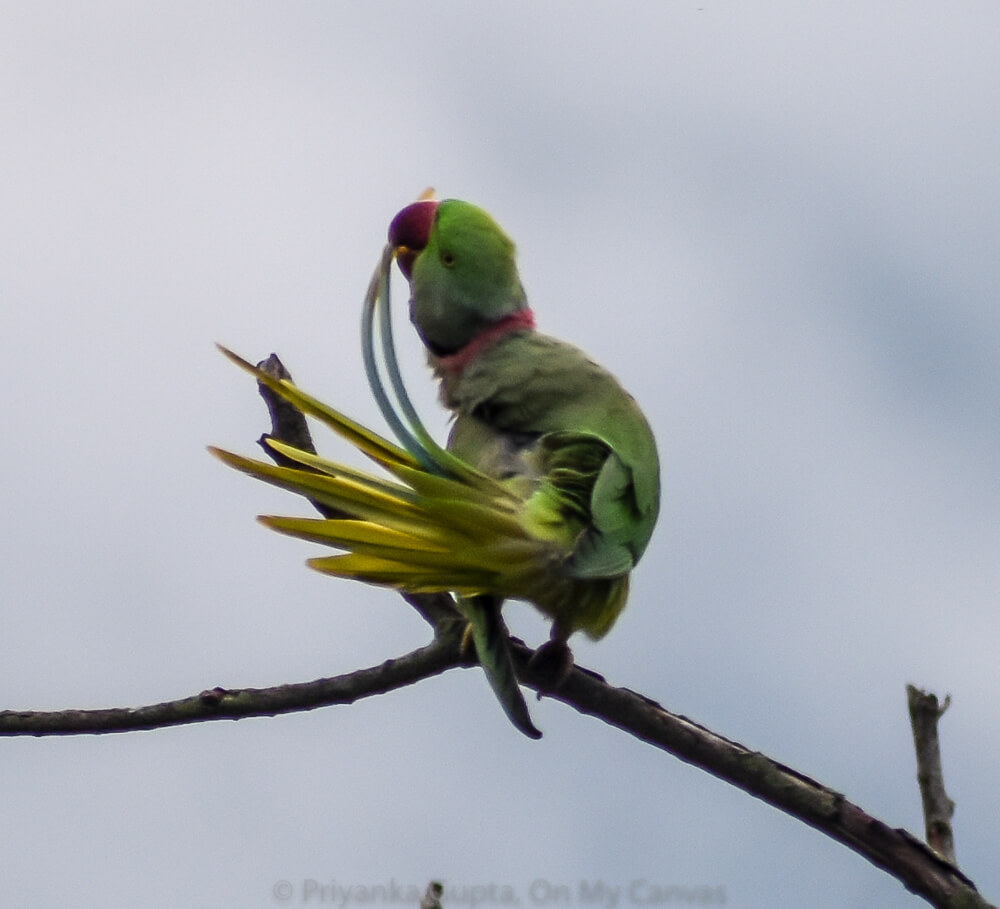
point(539, 414)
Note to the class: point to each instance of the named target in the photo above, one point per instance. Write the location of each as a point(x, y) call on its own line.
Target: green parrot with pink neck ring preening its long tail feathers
point(549, 488)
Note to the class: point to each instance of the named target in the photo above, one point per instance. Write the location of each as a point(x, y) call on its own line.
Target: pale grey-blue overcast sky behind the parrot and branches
point(778, 224)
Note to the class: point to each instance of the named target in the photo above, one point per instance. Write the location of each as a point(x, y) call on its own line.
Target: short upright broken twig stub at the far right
point(938, 808)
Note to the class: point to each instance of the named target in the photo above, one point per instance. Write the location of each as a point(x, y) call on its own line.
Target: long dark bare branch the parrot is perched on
point(895, 851)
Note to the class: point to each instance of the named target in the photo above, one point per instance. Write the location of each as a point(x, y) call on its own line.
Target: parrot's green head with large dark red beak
point(461, 268)
